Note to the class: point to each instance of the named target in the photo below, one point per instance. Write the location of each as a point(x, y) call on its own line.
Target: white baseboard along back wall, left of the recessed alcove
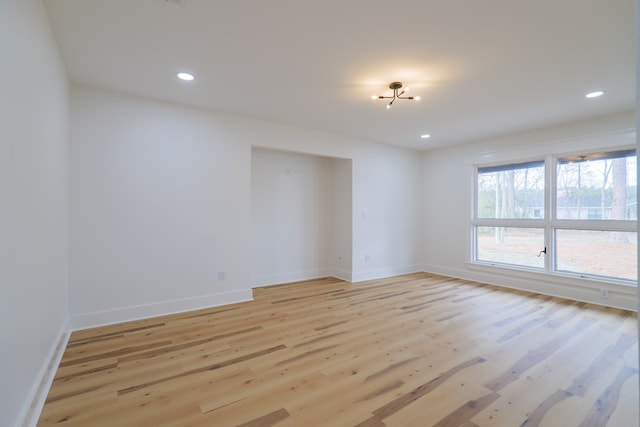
point(92, 320)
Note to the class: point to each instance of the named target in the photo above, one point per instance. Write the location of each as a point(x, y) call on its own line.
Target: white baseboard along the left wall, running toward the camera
point(35, 402)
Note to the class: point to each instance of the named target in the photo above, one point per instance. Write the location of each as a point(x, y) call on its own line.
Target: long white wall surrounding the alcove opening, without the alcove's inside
point(160, 204)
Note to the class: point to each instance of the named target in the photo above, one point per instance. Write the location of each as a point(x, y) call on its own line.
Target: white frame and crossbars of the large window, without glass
point(549, 223)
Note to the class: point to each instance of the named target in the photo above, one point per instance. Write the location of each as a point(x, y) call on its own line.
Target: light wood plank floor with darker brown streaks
point(414, 350)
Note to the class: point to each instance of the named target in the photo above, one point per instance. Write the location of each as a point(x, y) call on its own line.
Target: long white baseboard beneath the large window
point(577, 289)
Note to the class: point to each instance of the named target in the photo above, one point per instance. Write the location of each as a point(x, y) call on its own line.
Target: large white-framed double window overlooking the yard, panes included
point(573, 215)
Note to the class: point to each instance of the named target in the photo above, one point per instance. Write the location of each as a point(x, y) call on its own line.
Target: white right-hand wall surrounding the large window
point(448, 176)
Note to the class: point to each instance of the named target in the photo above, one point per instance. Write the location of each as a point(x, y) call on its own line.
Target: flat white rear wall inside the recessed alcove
point(290, 216)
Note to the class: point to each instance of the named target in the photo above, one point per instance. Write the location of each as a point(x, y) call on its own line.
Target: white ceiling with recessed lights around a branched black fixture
point(483, 68)
